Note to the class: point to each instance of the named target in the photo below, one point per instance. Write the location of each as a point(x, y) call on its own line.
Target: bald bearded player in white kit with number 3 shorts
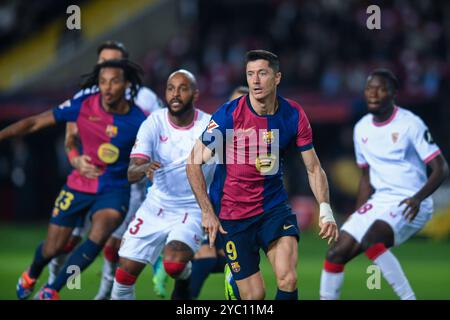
point(169, 220)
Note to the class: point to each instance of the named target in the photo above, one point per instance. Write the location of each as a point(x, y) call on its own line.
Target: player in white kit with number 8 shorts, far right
point(394, 148)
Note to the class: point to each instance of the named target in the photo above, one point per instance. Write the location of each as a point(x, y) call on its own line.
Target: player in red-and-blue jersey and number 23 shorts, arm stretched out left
point(108, 124)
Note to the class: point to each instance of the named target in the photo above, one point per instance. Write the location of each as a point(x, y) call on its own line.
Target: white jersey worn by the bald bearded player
point(161, 140)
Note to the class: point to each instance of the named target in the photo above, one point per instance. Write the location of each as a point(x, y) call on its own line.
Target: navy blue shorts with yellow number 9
point(246, 237)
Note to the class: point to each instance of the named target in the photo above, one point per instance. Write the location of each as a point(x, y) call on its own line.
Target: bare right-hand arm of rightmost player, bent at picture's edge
point(439, 172)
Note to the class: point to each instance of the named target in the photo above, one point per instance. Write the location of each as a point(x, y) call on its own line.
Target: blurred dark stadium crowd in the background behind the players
point(326, 52)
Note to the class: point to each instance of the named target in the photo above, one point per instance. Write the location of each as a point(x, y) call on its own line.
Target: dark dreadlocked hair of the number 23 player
point(132, 72)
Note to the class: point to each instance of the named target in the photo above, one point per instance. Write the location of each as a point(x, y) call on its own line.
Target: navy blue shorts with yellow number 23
point(71, 206)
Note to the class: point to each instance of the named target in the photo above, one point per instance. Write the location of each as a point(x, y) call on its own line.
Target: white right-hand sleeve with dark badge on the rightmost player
point(423, 141)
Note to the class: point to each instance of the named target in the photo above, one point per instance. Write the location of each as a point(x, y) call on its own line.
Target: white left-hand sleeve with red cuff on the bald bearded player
point(145, 139)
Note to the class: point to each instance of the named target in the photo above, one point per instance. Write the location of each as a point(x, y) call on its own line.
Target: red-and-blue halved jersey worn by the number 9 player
point(249, 151)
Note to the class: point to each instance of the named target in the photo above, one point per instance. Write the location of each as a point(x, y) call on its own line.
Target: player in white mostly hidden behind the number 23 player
point(148, 102)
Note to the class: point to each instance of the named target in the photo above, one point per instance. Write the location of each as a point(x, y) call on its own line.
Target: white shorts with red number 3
point(155, 225)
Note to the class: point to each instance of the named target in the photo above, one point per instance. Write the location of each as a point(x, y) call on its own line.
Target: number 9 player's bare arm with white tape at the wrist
point(319, 186)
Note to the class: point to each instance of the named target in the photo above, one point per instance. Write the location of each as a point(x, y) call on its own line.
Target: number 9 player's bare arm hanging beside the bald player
point(200, 155)
